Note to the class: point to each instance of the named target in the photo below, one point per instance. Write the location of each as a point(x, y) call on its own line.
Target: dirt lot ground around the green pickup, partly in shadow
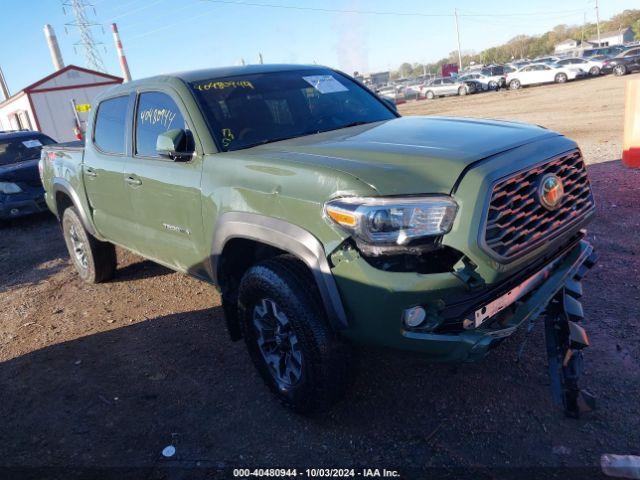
point(102, 378)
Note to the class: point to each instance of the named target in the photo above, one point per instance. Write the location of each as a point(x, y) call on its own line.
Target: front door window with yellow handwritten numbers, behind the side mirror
point(157, 113)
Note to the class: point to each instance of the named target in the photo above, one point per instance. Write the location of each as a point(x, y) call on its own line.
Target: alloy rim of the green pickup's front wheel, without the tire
point(278, 343)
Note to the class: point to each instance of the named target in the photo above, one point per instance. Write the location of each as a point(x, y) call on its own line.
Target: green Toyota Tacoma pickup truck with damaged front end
point(328, 220)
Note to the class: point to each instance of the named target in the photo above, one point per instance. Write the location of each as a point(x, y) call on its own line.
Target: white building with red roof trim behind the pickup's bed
point(47, 105)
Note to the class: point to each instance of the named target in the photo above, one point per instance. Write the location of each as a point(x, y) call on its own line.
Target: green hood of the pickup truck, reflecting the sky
point(406, 155)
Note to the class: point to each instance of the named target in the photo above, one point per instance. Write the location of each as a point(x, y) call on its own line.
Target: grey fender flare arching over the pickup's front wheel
point(290, 238)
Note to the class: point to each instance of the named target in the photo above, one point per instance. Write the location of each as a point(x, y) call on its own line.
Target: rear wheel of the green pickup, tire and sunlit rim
point(99, 262)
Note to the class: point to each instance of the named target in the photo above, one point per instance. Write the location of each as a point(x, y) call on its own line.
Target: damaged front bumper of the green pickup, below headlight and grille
point(464, 345)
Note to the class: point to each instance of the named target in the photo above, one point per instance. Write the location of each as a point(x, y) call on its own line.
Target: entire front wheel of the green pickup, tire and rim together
point(288, 336)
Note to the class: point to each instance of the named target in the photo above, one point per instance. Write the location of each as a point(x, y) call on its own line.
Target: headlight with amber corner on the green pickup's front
point(393, 220)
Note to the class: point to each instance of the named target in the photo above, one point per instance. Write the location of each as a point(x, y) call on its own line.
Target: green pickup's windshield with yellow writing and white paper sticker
point(249, 110)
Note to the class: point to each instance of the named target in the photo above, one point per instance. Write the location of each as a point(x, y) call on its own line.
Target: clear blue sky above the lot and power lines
point(161, 36)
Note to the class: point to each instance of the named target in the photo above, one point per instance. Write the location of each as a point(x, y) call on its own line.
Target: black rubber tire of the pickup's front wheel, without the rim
point(325, 358)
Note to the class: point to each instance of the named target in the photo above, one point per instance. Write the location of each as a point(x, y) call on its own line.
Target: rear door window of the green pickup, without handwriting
point(110, 125)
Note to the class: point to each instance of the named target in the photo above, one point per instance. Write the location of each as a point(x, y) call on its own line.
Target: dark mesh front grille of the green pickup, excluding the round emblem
point(516, 220)
